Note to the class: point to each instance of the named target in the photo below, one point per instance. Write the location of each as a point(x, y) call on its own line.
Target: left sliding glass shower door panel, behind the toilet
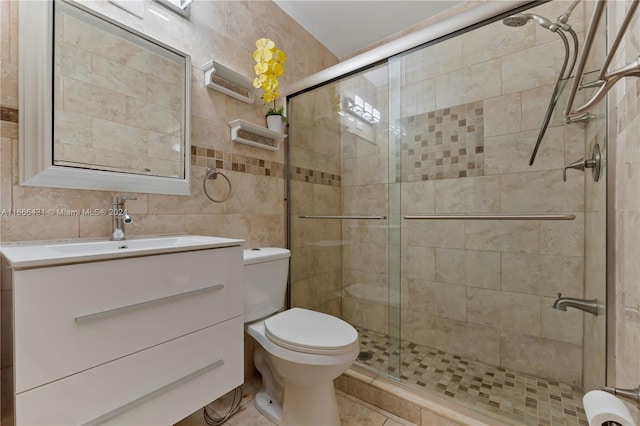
point(339, 206)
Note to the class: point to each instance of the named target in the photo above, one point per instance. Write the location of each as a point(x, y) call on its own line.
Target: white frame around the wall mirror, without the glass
point(35, 47)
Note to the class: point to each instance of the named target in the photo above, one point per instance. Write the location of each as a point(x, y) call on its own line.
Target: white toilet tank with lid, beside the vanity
point(265, 281)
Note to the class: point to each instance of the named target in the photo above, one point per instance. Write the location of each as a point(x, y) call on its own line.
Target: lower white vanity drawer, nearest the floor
point(157, 386)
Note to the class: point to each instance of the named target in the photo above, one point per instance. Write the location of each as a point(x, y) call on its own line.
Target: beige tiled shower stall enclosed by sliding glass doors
point(415, 216)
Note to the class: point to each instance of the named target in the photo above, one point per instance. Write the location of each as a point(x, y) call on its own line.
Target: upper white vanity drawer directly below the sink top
point(65, 323)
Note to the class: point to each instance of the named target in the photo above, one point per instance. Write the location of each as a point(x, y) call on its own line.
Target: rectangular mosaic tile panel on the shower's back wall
point(444, 144)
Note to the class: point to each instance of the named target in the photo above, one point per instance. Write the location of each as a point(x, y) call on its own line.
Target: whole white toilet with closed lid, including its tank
point(301, 351)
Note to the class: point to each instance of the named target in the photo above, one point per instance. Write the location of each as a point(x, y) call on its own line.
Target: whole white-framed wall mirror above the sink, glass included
point(102, 106)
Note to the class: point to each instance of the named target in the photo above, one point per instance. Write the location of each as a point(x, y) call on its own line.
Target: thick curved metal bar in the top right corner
point(608, 78)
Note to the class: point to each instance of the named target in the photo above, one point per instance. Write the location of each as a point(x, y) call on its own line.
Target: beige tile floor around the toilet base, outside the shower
point(353, 412)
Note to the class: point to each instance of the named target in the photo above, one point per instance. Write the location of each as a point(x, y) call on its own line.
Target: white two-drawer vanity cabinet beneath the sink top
point(142, 340)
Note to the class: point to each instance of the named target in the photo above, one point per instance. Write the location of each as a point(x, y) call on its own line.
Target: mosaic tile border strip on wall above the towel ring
point(207, 157)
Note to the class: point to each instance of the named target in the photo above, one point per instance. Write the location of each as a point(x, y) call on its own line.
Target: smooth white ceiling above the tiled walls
point(347, 26)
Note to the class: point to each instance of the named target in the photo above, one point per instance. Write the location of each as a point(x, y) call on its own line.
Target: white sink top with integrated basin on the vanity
point(47, 253)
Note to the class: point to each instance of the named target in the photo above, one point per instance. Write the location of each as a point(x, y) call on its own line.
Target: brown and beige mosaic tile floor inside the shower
point(517, 396)
